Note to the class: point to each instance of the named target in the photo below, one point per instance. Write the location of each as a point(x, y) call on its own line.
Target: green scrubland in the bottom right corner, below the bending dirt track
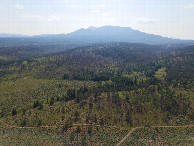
point(161, 136)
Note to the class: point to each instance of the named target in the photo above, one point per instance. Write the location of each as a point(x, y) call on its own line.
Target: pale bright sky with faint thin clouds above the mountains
point(168, 18)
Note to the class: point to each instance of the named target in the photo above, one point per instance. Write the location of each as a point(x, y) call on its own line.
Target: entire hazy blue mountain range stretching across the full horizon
point(92, 35)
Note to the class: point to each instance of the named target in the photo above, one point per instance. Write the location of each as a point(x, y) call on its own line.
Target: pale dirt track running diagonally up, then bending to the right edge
point(133, 129)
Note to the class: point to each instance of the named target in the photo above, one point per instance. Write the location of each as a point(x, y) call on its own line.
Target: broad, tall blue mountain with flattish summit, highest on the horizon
point(120, 34)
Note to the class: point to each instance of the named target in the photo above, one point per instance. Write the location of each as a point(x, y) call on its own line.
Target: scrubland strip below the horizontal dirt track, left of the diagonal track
point(54, 136)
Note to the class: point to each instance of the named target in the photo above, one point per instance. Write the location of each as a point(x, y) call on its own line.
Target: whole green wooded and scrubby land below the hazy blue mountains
point(95, 94)
